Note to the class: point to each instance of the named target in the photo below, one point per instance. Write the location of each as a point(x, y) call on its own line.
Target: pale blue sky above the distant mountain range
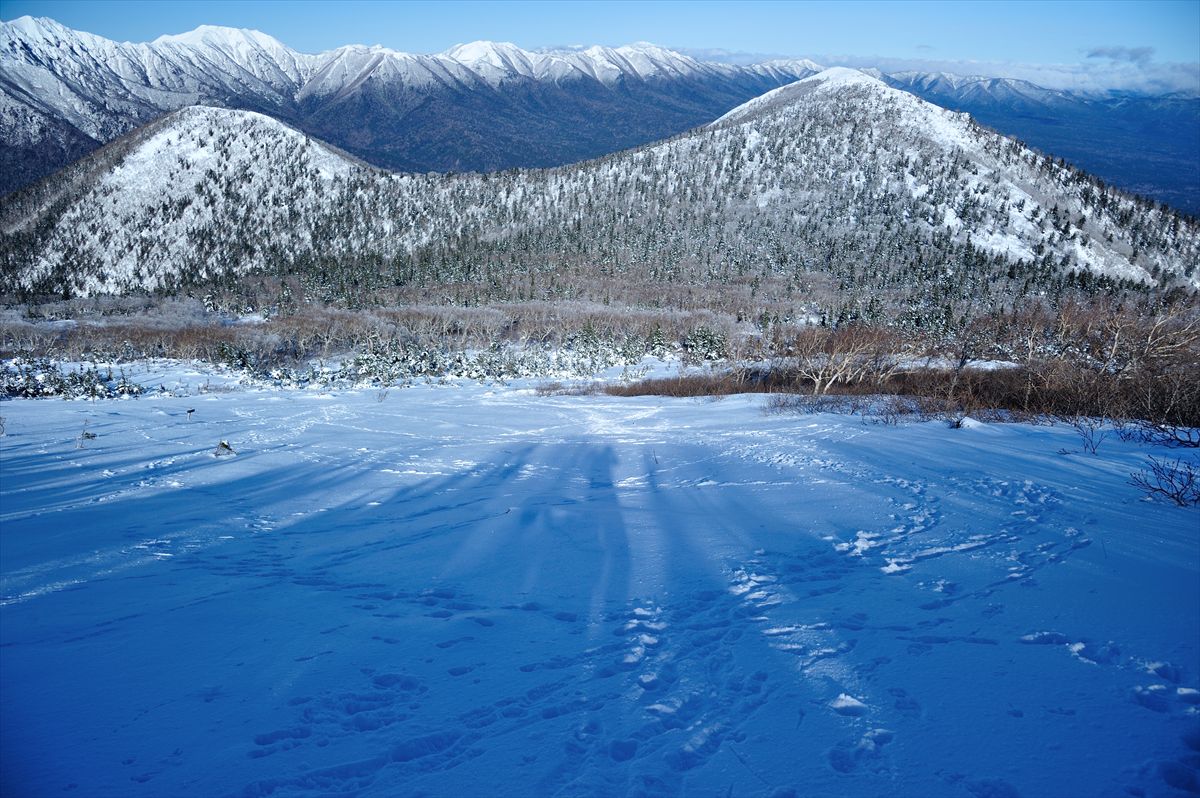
point(1100, 38)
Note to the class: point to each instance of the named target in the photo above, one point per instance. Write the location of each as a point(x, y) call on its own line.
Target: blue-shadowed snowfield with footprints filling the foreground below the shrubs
point(459, 591)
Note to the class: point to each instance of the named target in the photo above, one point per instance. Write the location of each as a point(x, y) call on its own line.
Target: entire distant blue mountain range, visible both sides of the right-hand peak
point(490, 106)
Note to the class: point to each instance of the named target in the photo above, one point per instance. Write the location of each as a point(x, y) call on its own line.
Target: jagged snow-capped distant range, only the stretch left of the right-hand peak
point(478, 106)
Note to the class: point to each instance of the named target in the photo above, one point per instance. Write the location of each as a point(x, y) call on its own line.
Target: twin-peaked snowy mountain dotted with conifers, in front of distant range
point(837, 177)
